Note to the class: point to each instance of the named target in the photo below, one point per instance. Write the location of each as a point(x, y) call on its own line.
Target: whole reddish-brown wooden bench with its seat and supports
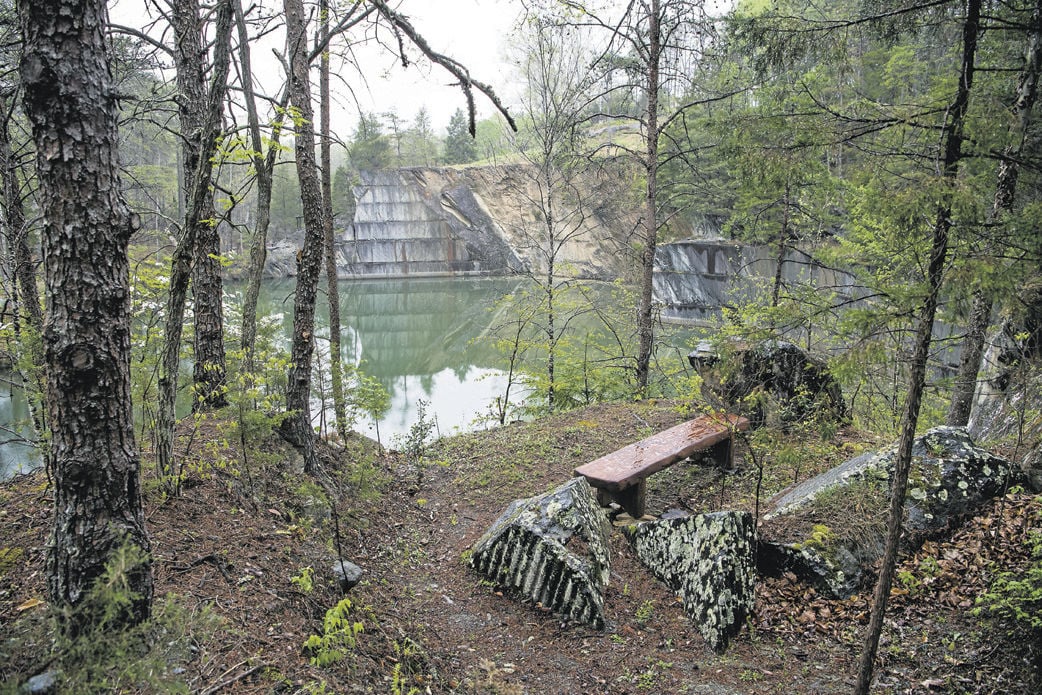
point(621, 477)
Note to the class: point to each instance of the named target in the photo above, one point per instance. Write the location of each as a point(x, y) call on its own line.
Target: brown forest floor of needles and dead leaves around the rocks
point(242, 533)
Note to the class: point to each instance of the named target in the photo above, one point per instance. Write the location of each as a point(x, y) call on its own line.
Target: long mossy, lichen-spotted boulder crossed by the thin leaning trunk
point(829, 530)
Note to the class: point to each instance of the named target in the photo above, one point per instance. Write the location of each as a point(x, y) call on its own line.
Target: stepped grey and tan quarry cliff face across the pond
point(482, 220)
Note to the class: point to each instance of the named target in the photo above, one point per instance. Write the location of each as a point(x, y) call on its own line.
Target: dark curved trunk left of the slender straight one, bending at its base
point(297, 428)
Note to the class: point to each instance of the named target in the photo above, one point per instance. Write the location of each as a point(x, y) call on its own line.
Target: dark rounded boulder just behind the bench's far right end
point(772, 378)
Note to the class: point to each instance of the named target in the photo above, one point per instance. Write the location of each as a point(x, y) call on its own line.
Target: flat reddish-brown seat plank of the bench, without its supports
point(632, 464)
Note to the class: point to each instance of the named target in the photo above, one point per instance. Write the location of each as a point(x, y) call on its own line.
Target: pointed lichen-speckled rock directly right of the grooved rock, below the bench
point(709, 561)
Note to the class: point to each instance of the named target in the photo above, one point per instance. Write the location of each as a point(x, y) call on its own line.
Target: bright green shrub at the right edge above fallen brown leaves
point(1015, 600)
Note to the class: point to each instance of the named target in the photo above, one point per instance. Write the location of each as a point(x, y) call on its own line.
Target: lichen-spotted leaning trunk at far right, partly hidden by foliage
point(1006, 188)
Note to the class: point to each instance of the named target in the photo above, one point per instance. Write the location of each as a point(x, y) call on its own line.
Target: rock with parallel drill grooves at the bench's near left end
point(553, 550)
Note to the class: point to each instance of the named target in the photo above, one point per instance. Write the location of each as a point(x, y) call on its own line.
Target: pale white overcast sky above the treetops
point(473, 32)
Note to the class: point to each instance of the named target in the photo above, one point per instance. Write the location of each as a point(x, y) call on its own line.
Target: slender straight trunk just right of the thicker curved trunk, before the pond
point(333, 289)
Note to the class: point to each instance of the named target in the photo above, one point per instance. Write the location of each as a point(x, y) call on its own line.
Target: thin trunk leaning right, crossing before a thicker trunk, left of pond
point(201, 201)
